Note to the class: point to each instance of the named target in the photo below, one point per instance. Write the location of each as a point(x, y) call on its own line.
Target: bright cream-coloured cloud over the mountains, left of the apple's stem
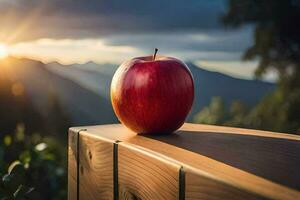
point(68, 51)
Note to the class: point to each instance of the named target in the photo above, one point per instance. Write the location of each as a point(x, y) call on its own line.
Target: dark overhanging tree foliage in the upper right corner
point(276, 36)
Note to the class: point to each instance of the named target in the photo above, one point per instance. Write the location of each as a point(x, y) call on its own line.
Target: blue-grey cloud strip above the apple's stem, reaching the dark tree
point(233, 41)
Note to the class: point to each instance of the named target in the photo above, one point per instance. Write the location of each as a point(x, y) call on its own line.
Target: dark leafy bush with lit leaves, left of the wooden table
point(37, 169)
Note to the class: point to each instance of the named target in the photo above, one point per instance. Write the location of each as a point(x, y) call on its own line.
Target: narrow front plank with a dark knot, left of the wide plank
point(96, 167)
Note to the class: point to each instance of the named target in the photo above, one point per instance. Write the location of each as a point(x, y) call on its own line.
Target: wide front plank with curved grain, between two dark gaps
point(143, 175)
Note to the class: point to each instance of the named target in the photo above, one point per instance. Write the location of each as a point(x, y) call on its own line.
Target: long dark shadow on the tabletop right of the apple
point(275, 159)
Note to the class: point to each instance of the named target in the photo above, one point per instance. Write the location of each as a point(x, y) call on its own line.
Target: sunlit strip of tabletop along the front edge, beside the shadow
point(219, 171)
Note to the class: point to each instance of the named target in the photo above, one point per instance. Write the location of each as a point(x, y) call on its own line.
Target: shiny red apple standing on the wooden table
point(152, 94)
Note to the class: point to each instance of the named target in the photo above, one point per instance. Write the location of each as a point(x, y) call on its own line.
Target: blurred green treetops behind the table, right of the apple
point(270, 114)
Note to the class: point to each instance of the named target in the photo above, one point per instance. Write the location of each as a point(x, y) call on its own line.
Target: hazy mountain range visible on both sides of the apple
point(84, 89)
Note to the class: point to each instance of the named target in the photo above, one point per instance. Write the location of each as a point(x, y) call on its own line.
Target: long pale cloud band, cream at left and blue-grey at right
point(189, 46)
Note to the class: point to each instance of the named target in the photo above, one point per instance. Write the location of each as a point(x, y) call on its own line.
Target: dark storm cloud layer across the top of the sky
point(95, 18)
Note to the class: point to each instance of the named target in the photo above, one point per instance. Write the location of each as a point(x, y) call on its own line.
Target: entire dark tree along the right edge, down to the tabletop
point(277, 46)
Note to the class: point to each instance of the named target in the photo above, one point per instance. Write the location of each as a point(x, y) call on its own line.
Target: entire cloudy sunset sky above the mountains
point(112, 31)
